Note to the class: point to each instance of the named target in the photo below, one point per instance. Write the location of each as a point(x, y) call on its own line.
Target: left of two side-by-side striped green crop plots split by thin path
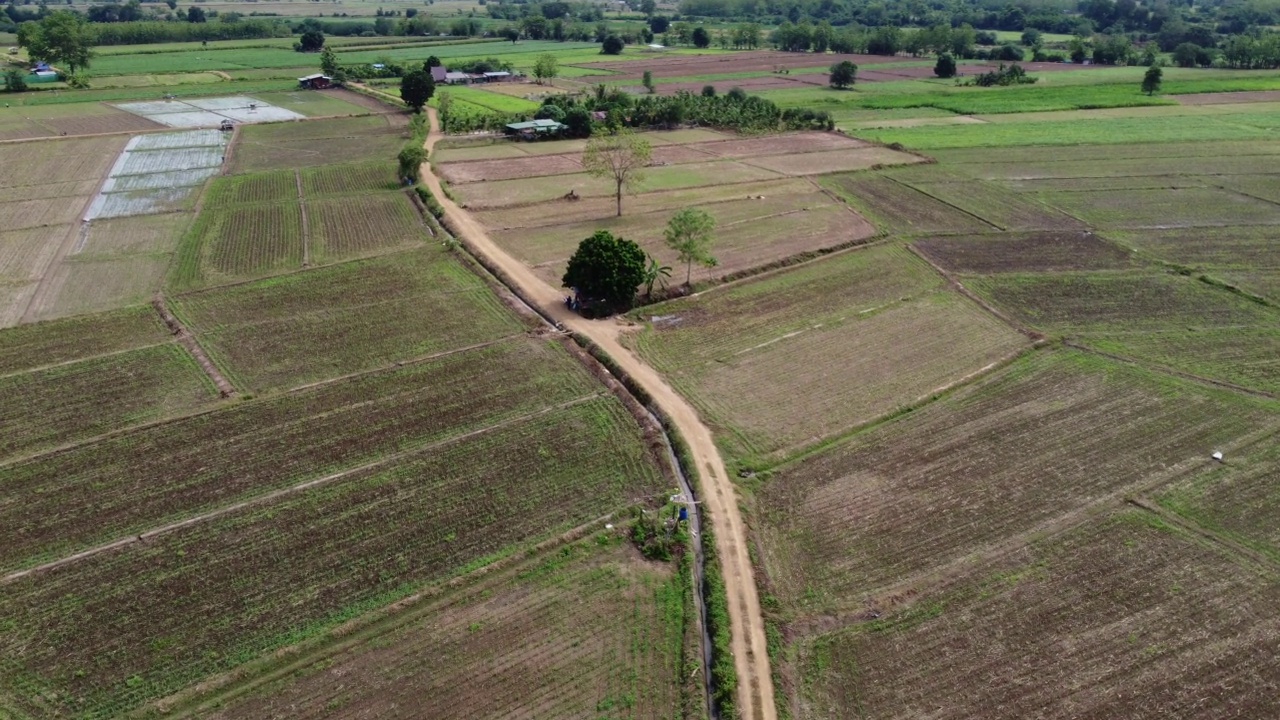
point(246, 241)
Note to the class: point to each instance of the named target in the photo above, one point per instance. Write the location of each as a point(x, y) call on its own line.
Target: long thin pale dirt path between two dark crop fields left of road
point(285, 493)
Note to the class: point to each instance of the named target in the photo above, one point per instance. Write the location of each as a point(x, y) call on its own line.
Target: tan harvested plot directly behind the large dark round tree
point(751, 234)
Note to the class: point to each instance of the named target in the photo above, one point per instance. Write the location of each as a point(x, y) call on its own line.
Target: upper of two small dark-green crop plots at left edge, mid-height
point(75, 339)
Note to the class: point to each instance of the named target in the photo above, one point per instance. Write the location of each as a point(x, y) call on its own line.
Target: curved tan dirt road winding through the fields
point(720, 500)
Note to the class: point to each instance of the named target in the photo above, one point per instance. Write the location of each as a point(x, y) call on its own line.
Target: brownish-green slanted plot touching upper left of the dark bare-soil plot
point(899, 208)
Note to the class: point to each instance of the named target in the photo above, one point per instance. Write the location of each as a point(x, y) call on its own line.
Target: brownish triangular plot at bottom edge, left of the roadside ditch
point(587, 631)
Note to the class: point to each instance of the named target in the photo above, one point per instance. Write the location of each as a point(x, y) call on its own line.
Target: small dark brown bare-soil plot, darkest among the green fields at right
point(1014, 253)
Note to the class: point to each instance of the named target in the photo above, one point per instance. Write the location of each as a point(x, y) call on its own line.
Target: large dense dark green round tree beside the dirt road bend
point(607, 270)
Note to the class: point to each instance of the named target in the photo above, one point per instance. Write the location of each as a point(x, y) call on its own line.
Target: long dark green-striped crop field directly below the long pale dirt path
point(113, 631)
